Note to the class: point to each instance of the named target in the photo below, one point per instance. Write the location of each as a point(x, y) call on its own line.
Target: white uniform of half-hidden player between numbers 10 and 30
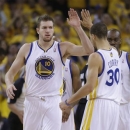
point(67, 93)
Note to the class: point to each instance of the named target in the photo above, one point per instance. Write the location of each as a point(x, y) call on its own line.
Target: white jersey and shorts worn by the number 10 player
point(44, 78)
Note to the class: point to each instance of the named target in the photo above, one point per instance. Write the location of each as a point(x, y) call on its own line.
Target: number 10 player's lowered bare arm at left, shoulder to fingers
point(15, 67)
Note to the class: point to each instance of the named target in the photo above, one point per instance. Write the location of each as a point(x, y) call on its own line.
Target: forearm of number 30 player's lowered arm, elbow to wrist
point(79, 94)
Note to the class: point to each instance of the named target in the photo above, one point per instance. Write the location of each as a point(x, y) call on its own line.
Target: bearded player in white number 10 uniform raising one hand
point(44, 60)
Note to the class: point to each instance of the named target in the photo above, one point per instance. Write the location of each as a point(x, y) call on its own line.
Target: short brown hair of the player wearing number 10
point(45, 18)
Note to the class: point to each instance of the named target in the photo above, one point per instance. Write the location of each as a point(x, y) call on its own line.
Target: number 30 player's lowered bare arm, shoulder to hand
point(94, 68)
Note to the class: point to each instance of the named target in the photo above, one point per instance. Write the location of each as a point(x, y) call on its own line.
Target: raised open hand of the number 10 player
point(73, 19)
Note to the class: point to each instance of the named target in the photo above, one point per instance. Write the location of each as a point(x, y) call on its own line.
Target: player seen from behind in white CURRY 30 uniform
point(102, 86)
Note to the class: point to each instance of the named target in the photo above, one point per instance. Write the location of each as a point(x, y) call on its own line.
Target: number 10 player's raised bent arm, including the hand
point(71, 49)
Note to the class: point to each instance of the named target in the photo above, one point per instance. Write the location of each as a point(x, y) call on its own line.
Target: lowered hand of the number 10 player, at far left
point(10, 91)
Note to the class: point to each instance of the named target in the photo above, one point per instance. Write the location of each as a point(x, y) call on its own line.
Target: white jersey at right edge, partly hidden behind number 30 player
point(125, 69)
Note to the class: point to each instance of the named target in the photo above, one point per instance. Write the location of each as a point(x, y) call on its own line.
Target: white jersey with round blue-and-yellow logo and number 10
point(44, 70)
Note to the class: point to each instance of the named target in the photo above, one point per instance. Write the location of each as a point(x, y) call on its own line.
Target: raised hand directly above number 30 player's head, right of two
point(86, 19)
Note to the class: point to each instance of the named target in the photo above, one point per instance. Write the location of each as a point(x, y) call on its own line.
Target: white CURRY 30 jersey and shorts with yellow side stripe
point(102, 109)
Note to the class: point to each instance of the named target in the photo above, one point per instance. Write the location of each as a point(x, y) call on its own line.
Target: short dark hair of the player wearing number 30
point(99, 29)
